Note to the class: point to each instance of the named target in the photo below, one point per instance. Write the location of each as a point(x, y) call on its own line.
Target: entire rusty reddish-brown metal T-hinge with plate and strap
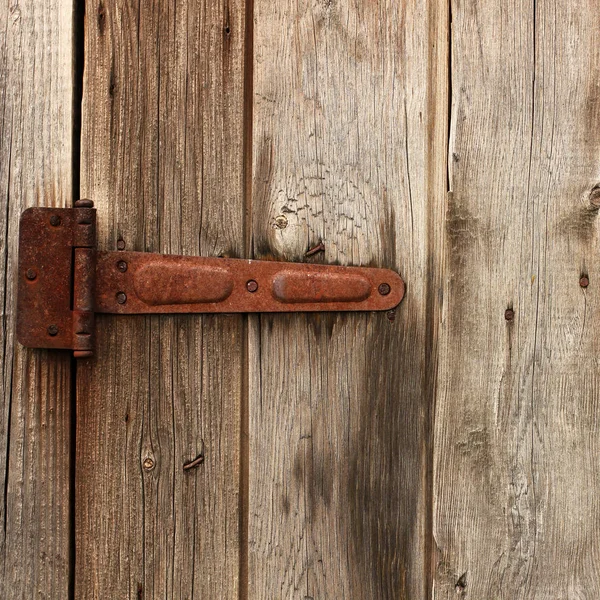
point(64, 281)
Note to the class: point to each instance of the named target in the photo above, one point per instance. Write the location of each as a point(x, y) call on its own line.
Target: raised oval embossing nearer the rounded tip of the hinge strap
point(320, 287)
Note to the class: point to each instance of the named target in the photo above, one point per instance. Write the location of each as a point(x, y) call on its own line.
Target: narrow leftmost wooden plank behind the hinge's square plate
point(36, 90)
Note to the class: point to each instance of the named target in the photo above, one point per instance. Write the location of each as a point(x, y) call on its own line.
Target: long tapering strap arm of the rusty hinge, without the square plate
point(154, 283)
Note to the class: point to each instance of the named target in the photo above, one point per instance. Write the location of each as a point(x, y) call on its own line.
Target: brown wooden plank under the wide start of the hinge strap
point(162, 158)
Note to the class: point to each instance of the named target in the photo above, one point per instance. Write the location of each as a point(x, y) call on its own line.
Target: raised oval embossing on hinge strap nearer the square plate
point(162, 284)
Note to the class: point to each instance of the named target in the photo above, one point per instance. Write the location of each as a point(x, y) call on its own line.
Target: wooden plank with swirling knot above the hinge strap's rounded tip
point(348, 148)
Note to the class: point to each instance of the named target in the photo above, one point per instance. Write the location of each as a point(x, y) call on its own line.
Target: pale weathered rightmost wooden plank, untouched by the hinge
point(516, 477)
